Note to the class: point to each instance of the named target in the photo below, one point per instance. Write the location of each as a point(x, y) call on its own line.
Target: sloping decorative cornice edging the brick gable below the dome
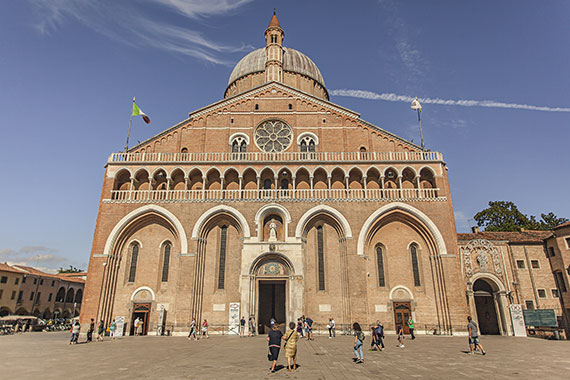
point(324, 103)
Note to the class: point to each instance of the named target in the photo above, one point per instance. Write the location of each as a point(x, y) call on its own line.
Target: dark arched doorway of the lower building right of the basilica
point(486, 306)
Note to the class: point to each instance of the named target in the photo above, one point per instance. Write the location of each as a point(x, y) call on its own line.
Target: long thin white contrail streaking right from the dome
point(390, 97)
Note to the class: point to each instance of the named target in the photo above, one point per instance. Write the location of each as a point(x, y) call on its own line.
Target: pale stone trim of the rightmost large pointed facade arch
point(404, 207)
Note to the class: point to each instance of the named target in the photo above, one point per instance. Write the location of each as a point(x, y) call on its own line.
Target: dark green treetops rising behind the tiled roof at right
point(505, 216)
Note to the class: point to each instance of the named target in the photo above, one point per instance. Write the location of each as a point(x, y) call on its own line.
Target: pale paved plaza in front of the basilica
point(48, 356)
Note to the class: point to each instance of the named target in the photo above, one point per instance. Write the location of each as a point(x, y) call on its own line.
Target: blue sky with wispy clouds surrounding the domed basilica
point(69, 69)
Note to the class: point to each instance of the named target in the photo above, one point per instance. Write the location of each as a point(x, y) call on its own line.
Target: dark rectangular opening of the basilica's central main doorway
point(271, 304)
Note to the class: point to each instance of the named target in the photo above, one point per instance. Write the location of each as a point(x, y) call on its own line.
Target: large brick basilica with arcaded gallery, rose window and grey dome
point(274, 203)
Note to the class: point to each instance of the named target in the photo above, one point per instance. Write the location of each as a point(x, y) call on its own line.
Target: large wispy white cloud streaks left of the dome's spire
point(125, 22)
